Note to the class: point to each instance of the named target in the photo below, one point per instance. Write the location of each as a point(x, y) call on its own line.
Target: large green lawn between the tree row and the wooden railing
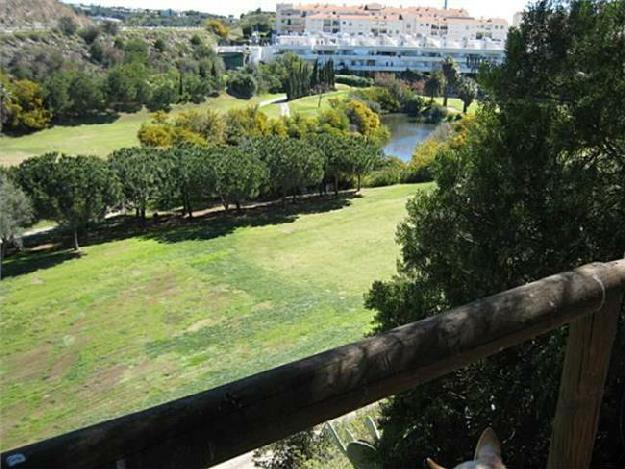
point(144, 318)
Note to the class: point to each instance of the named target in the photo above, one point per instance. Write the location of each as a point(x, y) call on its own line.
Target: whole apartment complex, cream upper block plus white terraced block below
point(374, 38)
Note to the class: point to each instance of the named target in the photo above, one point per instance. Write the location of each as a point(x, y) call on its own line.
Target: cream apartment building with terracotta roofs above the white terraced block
point(374, 19)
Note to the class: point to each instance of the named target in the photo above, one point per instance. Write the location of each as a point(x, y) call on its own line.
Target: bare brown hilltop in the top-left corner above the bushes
point(28, 14)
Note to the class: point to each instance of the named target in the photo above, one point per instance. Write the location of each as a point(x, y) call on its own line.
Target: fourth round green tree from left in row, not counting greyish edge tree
point(239, 175)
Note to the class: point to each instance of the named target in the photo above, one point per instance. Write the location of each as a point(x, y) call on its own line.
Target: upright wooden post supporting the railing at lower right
point(584, 373)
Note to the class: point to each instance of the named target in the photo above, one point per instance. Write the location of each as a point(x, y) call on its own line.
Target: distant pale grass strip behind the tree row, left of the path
point(100, 138)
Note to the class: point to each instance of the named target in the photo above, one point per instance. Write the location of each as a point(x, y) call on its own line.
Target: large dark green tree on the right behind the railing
point(536, 188)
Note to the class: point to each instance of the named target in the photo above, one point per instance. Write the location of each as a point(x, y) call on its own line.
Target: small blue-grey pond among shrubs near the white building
point(406, 134)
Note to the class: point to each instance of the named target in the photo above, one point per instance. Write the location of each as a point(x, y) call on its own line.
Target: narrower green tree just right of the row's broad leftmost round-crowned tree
point(142, 175)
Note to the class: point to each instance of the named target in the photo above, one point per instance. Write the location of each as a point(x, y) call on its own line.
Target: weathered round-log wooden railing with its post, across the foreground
point(213, 426)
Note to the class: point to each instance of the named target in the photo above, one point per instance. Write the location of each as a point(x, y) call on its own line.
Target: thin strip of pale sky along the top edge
point(496, 8)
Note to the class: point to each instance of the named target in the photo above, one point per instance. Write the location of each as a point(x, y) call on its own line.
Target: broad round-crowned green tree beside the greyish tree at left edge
point(72, 190)
